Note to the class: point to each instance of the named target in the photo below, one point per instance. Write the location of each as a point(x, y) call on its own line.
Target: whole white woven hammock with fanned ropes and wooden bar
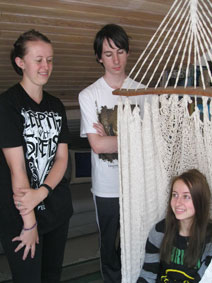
point(167, 139)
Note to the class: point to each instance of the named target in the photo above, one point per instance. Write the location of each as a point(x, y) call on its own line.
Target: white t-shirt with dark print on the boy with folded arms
point(96, 102)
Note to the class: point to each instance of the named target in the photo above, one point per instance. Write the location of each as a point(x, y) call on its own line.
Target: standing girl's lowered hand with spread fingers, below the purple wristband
point(28, 239)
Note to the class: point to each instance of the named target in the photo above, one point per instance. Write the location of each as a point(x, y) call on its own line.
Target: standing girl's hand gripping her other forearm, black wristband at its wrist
point(27, 199)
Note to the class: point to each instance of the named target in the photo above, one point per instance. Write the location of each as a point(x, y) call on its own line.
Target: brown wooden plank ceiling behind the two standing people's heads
point(72, 25)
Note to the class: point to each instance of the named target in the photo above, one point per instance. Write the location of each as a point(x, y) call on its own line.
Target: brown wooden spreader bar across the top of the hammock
point(169, 90)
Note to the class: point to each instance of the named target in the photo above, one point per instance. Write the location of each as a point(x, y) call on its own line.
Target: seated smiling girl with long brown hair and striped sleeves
point(179, 248)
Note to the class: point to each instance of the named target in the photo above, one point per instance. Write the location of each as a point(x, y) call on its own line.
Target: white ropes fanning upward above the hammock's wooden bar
point(183, 37)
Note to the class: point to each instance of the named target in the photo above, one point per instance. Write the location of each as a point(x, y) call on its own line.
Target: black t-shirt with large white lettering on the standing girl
point(39, 128)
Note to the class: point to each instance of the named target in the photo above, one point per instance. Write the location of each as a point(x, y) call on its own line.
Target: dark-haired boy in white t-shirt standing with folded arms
point(99, 123)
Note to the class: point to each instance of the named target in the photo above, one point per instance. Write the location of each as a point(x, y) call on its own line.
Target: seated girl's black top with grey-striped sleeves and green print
point(155, 270)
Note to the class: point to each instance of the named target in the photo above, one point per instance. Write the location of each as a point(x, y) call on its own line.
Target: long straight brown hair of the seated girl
point(200, 193)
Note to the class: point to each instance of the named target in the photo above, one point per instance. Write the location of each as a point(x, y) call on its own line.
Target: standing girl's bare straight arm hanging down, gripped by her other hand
point(15, 160)
